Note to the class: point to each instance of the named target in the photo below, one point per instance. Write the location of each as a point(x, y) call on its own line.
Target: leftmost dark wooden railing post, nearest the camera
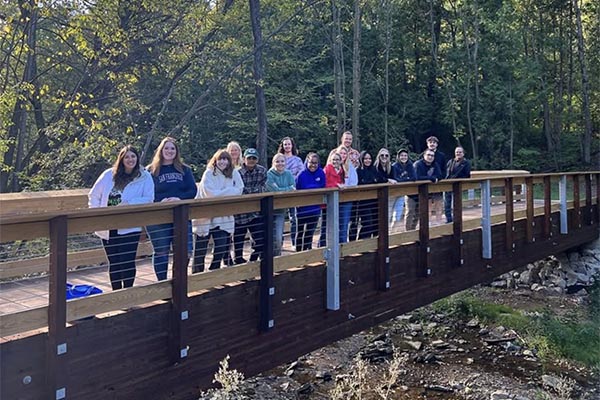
point(56, 349)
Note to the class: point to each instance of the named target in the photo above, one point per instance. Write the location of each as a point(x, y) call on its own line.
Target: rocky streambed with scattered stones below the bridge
point(436, 352)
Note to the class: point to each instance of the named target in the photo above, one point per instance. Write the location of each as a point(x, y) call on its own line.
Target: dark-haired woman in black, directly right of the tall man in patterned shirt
point(367, 209)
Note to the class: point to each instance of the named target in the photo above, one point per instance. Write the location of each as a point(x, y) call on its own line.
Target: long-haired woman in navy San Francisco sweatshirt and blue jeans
point(173, 181)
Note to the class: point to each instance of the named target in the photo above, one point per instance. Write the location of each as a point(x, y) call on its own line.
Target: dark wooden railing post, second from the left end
point(179, 308)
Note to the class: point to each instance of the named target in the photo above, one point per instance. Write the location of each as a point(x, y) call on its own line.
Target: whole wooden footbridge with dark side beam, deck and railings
point(163, 340)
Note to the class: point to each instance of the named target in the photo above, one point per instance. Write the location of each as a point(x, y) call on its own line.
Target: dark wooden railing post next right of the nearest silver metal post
point(383, 239)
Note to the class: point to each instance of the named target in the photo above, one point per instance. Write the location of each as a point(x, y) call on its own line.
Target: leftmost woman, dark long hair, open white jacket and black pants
point(126, 183)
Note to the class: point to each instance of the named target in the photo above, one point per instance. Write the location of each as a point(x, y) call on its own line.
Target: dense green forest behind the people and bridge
point(516, 82)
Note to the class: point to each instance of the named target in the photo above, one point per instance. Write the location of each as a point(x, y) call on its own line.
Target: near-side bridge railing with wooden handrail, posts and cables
point(545, 194)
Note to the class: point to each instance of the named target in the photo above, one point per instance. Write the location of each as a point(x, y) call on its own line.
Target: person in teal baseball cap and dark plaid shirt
point(255, 181)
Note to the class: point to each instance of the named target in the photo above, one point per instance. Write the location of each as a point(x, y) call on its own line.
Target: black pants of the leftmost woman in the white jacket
point(120, 251)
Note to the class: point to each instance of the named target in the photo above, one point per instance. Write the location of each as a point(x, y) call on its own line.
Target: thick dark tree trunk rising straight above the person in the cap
point(258, 74)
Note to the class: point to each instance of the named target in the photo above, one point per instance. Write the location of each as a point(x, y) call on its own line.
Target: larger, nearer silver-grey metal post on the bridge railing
point(332, 251)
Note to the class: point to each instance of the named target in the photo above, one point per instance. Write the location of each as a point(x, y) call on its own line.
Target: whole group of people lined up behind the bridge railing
point(232, 171)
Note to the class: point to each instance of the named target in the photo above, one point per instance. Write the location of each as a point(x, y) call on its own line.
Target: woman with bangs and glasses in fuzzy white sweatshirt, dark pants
point(220, 179)
